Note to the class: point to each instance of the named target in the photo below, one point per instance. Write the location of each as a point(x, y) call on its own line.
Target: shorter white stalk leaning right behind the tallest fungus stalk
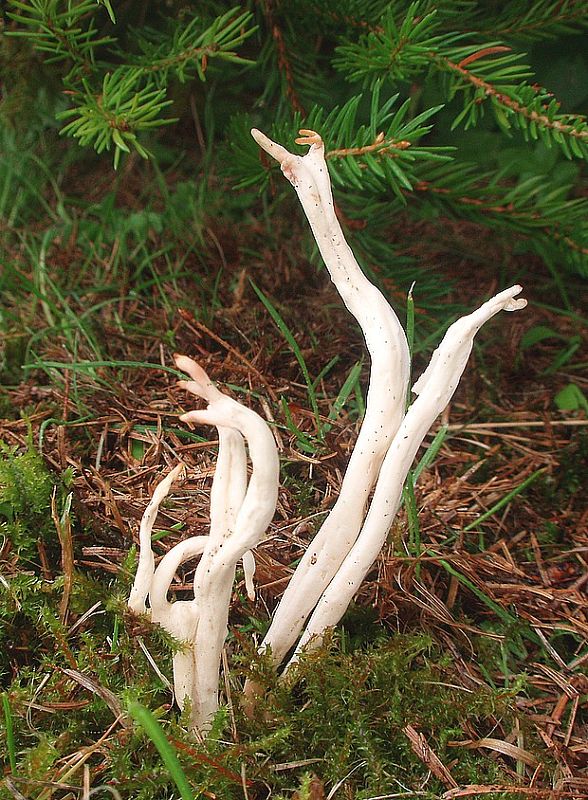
point(435, 387)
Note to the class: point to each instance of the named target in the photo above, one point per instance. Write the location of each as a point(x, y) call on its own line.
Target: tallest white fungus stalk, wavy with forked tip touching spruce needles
point(388, 348)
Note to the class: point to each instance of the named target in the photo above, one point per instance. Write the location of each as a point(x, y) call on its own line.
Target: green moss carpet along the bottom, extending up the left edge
point(342, 712)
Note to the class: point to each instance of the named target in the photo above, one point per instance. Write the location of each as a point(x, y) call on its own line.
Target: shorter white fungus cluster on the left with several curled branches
point(240, 512)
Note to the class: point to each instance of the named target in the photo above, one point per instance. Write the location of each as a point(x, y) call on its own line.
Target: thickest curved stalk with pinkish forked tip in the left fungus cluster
point(243, 528)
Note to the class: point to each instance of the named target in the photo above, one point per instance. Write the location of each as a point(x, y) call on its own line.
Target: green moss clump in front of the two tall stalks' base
point(349, 710)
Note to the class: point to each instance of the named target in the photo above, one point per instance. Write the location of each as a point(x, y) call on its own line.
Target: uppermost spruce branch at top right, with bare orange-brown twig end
point(482, 72)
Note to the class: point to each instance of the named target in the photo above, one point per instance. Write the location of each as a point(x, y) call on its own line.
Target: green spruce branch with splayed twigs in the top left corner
point(132, 96)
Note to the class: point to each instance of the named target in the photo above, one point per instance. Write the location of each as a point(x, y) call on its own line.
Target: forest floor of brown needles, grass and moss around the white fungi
point(461, 669)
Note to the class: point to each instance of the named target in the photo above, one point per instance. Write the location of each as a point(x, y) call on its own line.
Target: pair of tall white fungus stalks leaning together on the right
point(346, 546)
